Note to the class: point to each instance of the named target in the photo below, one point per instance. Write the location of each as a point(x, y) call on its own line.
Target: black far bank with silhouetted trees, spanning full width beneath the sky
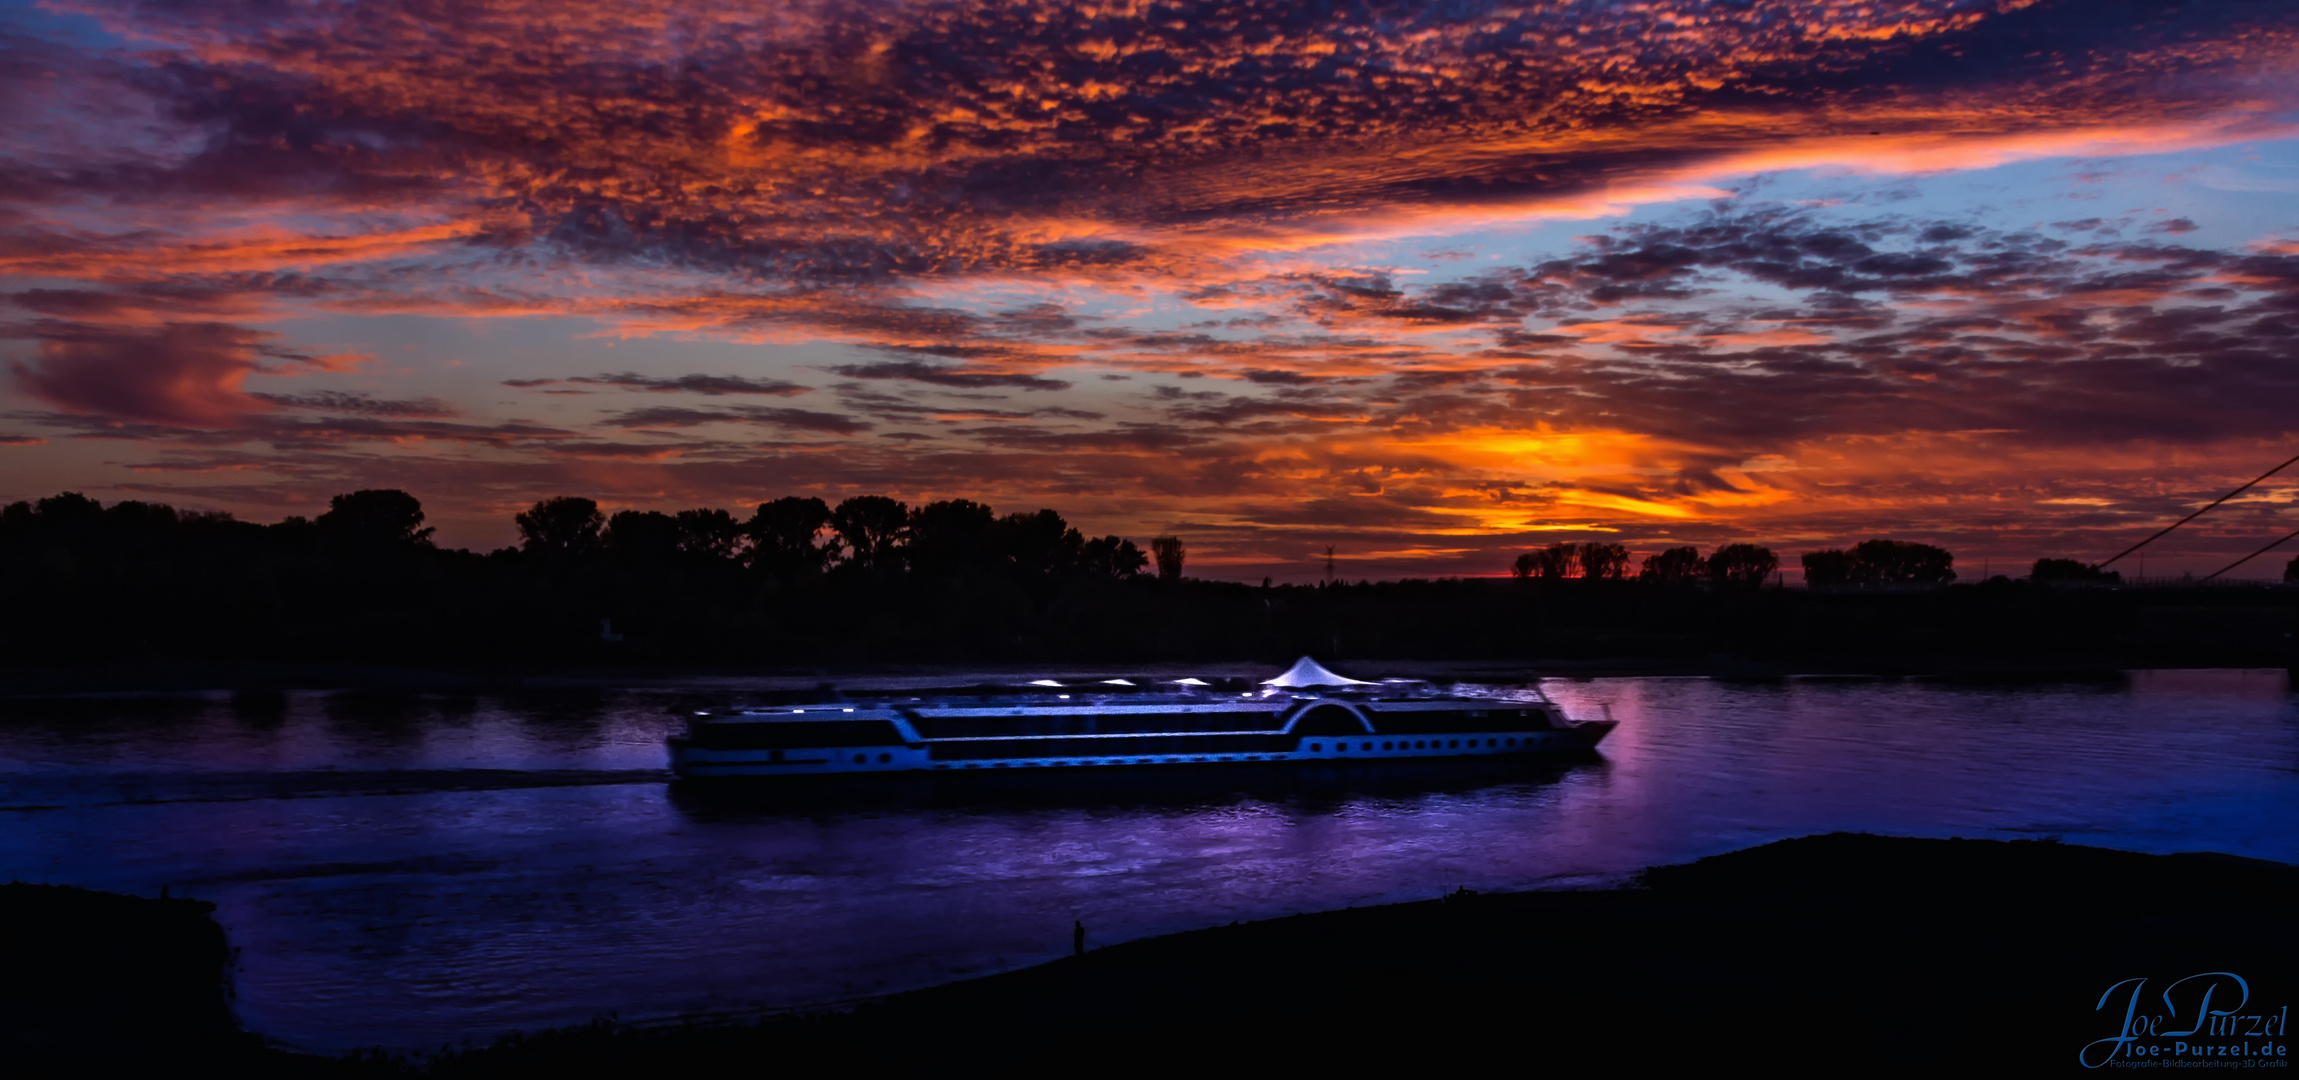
point(801, 583)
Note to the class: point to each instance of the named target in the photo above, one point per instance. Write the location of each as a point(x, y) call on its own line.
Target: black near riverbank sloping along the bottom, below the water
point(1836, 955)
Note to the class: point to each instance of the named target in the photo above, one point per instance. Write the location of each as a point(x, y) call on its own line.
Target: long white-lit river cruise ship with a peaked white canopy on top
point(1307, 713)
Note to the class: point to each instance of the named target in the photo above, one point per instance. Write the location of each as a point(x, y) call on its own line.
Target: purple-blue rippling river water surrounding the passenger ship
point(429, 870)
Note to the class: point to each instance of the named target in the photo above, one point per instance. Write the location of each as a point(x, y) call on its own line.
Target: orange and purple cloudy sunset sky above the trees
point(1429, 284)
